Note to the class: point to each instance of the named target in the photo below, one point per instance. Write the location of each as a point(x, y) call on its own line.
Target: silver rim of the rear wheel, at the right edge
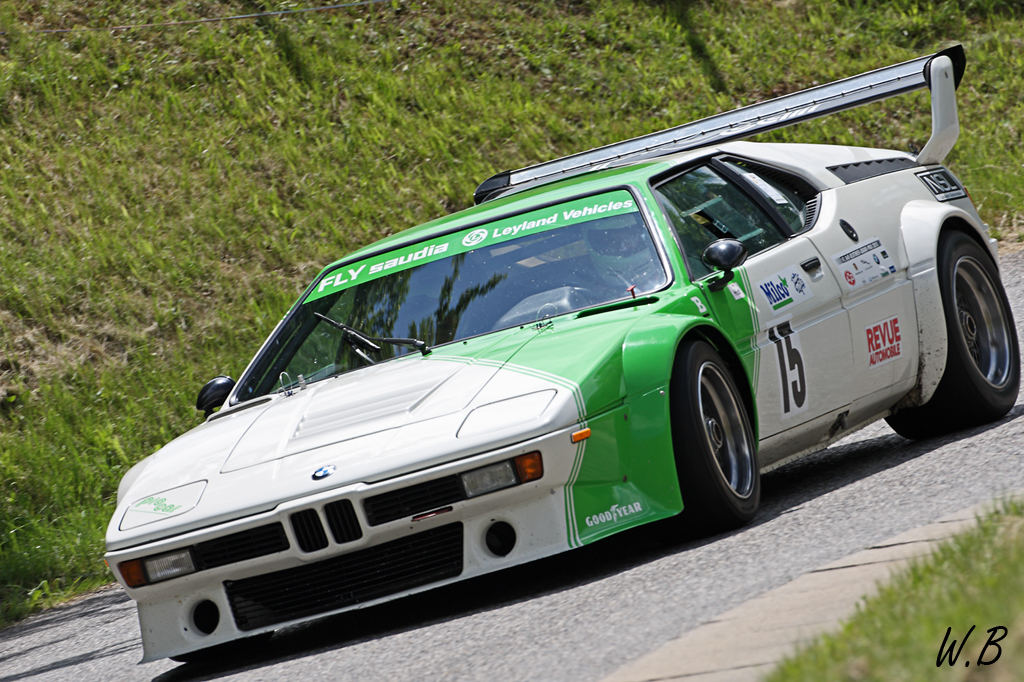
point(984, 324)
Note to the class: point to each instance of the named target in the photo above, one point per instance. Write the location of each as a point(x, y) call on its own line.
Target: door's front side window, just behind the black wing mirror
point(702, 207)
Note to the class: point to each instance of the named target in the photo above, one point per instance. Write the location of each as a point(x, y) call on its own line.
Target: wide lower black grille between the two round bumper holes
point(347, 580)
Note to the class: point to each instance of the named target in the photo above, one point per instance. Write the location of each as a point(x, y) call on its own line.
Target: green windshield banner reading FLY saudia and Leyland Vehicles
point(591, 208)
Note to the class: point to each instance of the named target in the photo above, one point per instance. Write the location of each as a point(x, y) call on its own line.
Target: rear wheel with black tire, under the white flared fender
point(983, 374)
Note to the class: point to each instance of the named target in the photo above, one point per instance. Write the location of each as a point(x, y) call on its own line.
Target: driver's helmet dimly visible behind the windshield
point(621, 249)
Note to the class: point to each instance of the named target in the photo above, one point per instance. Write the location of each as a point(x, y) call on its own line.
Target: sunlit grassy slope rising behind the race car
point(166, 194)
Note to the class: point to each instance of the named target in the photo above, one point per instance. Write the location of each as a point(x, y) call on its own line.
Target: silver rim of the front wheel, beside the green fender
point(724, 429)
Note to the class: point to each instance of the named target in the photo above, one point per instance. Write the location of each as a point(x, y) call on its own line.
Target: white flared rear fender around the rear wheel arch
point(921, 224)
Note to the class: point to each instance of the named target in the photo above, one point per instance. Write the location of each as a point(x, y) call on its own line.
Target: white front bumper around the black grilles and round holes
point(536, 511)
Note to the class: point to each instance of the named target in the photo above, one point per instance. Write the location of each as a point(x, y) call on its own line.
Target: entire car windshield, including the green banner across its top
point(507, 274)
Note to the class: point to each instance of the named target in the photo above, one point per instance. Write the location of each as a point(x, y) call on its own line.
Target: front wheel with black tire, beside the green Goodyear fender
point(715, 448)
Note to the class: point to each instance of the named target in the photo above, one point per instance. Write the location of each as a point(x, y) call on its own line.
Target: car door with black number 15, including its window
point(784, 309)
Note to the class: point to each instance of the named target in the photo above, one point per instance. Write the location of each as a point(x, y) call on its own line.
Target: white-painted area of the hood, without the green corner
point(249, 476)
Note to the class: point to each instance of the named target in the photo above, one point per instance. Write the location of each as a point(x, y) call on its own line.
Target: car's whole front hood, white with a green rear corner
point(376, 423)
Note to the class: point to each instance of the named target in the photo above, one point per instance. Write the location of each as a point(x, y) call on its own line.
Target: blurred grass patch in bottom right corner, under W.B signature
point(974, 580)
